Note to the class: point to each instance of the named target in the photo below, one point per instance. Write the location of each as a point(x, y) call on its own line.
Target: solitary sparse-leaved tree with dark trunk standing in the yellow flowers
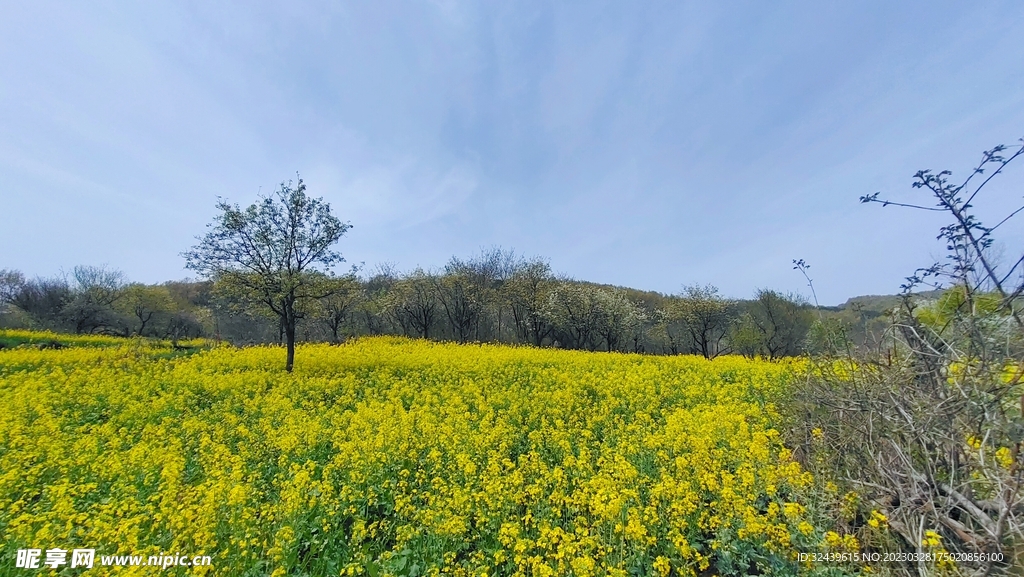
point(276, 254)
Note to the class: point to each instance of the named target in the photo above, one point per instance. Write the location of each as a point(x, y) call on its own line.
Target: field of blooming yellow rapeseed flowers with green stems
point(389, 457)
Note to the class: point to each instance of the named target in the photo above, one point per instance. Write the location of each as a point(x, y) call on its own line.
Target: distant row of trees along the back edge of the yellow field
point(495, 297)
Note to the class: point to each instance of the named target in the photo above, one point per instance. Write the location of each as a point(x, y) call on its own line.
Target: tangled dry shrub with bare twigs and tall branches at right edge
point(923, 435)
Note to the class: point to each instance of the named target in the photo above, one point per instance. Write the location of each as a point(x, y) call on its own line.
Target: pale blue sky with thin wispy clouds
point(644, 145)
